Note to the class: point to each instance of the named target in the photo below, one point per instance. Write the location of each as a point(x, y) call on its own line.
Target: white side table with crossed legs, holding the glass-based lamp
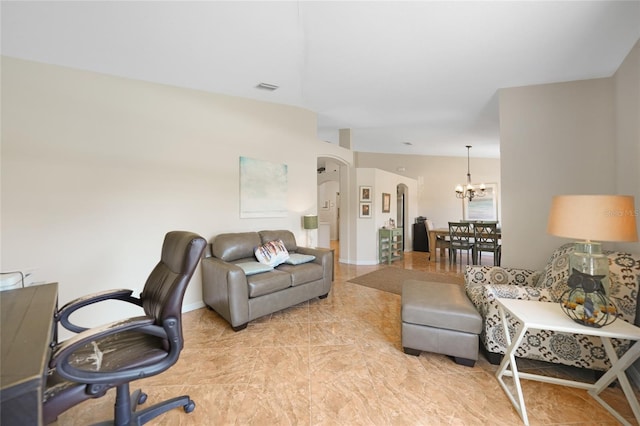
point(549, 316)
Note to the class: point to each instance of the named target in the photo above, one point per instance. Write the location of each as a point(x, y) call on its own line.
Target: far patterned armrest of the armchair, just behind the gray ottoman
point(483, 275)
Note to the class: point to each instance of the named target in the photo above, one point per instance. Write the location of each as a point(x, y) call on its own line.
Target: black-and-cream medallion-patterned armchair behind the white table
point(486, 283)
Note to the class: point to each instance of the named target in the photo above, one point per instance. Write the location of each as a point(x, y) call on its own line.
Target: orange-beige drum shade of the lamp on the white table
point(593, 217)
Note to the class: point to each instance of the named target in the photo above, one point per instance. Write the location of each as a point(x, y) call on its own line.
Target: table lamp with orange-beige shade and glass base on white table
point(591, 219)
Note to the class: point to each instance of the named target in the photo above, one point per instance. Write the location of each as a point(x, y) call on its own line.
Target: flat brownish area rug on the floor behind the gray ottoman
point(390, 279)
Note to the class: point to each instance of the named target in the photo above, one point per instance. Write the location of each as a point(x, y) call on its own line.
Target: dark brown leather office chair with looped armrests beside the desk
point(97, 359)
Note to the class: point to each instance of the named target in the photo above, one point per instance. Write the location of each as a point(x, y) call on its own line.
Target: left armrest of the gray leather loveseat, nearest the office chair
point(225, 289)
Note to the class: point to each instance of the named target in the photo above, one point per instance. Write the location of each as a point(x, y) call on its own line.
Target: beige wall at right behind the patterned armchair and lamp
point(569, 138)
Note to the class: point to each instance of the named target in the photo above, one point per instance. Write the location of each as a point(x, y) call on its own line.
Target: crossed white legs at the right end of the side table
point(617, 370)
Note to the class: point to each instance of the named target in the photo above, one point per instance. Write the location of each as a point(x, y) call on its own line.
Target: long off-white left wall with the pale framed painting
point(96, 169)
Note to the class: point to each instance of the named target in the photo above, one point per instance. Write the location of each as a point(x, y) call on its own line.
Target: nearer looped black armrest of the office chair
point(60, 359)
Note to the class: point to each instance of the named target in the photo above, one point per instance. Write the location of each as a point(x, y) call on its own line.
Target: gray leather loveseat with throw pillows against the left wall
point(239, 293)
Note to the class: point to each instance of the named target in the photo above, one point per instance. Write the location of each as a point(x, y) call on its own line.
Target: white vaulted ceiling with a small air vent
point(418, 77)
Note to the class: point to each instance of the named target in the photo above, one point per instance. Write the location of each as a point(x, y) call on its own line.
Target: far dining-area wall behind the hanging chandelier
point(436, 178)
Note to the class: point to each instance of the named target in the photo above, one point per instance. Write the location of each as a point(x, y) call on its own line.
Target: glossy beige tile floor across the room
point(339, 361)
